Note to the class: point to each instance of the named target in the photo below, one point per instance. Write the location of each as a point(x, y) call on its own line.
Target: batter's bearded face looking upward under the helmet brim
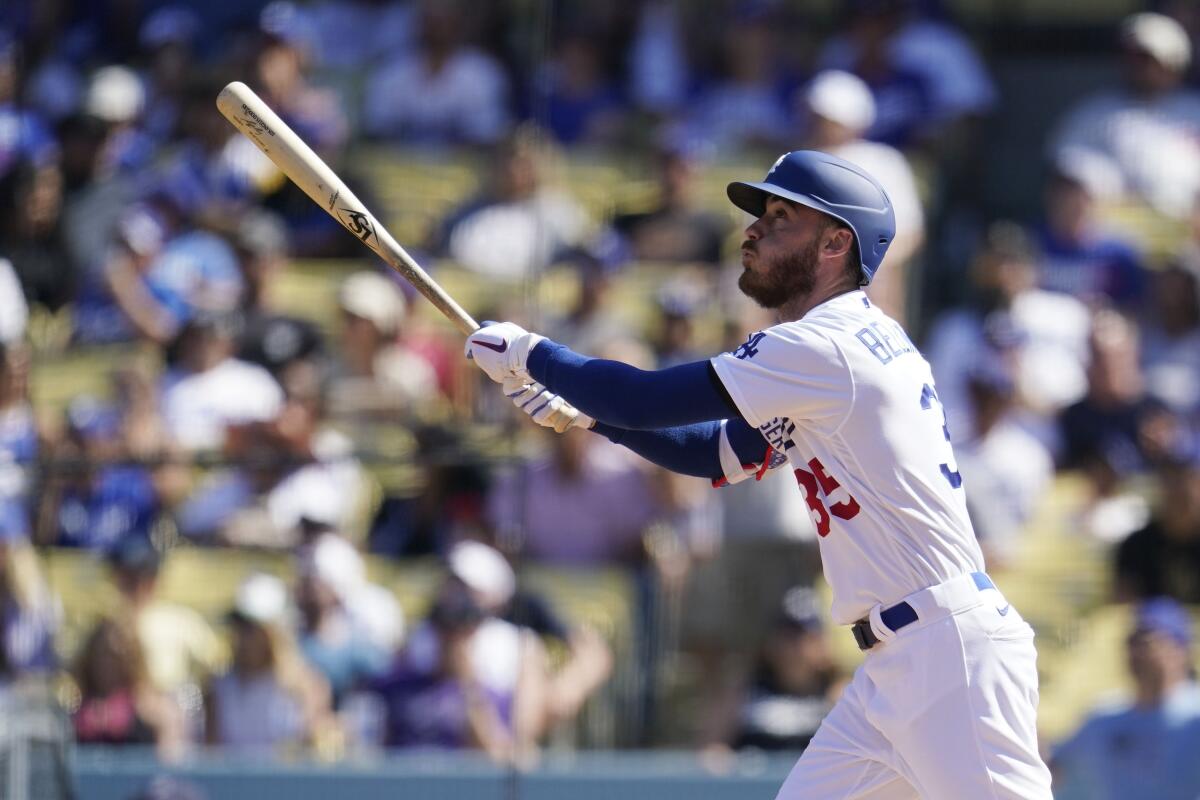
point(781, 254)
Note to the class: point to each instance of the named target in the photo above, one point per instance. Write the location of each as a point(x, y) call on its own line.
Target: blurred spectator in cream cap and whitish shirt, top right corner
point(1149, 128)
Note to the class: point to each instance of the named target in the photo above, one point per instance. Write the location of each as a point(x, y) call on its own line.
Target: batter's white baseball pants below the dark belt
point(943, 709)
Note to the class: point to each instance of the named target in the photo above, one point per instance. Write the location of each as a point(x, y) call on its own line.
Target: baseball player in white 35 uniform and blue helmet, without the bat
point(945, 703)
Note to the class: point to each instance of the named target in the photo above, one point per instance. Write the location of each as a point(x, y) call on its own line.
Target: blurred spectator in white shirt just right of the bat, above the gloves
point(520, 224)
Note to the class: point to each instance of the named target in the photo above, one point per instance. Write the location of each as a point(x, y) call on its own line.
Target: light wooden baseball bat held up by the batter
point(255, 119)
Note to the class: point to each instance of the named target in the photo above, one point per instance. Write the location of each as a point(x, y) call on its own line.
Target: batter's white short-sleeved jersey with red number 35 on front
point(851, 404)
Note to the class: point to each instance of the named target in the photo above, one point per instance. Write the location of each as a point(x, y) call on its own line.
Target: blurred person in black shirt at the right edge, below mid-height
point(1163, 557)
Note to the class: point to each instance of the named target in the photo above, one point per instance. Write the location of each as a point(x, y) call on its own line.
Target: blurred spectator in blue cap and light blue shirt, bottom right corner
point(1142, 750)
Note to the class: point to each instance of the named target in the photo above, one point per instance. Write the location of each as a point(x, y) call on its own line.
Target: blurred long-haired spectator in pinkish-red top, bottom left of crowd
point(118, 705)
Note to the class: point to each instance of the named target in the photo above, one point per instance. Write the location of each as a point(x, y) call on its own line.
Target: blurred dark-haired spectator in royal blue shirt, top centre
point(583, 106)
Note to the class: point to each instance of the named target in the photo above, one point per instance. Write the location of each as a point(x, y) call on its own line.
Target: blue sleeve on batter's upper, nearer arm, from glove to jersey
point(628, 398)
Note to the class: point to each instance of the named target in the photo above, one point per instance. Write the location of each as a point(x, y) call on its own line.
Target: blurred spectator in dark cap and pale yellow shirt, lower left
point(178, 646)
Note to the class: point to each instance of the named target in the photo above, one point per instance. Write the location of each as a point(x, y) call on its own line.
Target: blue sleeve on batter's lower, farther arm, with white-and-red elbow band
point(691, 449)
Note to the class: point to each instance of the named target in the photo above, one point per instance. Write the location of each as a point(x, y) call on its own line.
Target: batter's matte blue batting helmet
point(833, 187)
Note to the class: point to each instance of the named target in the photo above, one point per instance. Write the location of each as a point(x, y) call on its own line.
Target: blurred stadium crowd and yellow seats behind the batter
point(263, 530)
